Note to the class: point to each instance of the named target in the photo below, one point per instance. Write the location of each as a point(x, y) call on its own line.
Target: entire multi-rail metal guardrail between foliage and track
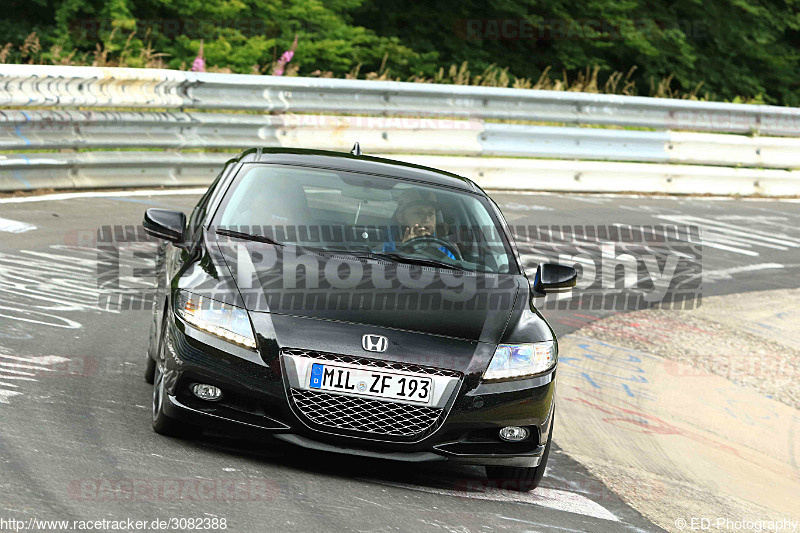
point(88, 108)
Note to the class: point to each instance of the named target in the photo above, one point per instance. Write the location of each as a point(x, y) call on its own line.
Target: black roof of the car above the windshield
point(358, 163)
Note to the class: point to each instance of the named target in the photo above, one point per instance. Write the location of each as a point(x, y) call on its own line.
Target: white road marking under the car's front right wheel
point(559, 500)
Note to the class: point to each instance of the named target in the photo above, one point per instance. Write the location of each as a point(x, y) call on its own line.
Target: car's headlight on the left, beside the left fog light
point(223, 320)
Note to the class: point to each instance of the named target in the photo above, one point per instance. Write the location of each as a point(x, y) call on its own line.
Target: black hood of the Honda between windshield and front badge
point(286, 281)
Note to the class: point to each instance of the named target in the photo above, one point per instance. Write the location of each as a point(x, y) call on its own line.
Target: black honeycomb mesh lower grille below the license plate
point(365, 415)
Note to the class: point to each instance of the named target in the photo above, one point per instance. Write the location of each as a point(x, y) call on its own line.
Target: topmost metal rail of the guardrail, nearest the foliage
point(35, 86)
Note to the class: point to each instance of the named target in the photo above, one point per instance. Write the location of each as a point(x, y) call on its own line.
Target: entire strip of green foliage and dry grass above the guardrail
point(742, 50)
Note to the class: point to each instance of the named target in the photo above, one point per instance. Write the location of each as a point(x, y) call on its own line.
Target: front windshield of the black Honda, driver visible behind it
point(372, 215)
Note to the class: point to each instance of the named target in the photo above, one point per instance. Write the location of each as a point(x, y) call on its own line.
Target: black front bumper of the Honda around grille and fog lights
point(256, 404)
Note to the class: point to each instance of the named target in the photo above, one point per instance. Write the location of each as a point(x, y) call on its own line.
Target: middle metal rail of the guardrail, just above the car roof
point(58, 130)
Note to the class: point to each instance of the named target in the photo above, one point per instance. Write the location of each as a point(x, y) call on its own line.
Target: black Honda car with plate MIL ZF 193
point(355, 305)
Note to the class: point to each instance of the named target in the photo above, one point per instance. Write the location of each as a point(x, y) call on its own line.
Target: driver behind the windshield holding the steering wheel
point(414, 217)
